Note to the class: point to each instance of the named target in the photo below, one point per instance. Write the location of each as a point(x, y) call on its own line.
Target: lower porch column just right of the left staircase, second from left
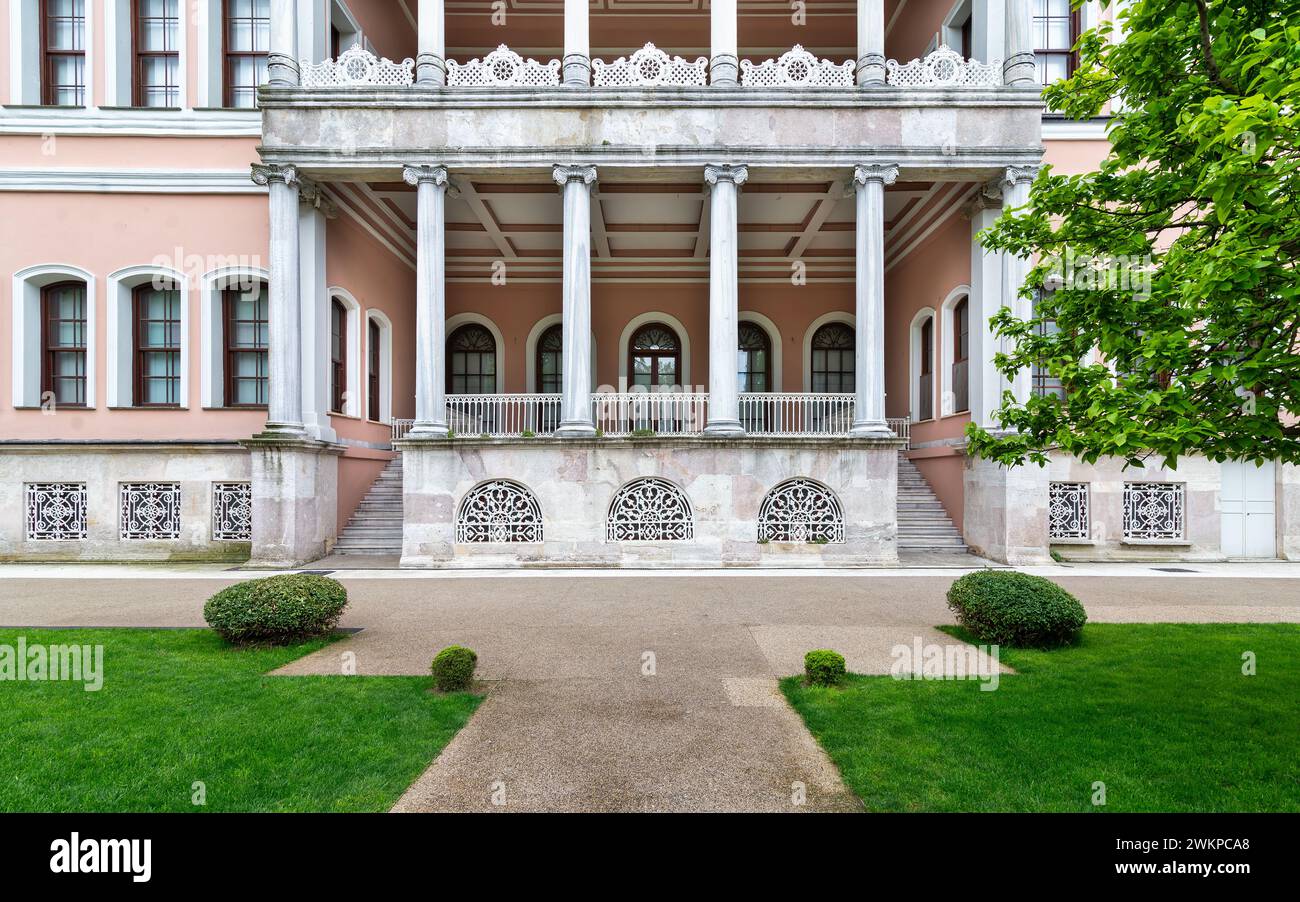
point(431, 303)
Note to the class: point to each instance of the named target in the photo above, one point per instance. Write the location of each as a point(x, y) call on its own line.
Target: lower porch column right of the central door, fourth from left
point(723, 300)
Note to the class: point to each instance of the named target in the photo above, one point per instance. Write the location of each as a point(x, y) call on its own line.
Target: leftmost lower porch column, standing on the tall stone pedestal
point(285, 353)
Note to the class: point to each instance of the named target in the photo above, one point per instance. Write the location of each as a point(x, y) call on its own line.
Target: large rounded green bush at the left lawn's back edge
point(276, 610)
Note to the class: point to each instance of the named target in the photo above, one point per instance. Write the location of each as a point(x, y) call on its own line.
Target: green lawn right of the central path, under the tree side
point(1160, 713)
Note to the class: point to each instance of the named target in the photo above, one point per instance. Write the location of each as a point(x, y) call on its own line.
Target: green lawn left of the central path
point(181, 706)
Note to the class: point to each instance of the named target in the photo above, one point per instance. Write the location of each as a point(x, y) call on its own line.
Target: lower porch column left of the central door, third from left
point(577, 405)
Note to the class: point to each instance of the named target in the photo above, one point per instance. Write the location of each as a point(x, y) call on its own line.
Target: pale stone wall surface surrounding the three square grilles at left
point(105, 469)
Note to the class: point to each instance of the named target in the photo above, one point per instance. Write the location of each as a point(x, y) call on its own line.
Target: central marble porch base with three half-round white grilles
point(569, 487)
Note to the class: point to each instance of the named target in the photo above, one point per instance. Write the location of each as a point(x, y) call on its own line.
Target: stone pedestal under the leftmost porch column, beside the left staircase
point(296, 500)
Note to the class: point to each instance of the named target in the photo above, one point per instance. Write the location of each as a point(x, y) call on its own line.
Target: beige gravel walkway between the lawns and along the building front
point(619, 692)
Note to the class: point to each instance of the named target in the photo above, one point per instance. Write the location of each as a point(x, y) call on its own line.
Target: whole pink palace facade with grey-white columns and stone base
point(541, 283)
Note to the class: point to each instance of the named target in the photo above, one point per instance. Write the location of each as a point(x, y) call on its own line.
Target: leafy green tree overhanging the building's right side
point(1168, 296)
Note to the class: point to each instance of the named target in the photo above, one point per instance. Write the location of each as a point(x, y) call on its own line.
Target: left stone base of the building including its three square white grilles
point(124, 501)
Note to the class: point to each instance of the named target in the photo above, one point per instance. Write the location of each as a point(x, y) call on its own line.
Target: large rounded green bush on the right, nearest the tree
point(1006, 608)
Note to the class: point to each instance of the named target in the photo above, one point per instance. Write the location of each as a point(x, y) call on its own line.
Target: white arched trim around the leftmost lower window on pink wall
point(27, 329)
